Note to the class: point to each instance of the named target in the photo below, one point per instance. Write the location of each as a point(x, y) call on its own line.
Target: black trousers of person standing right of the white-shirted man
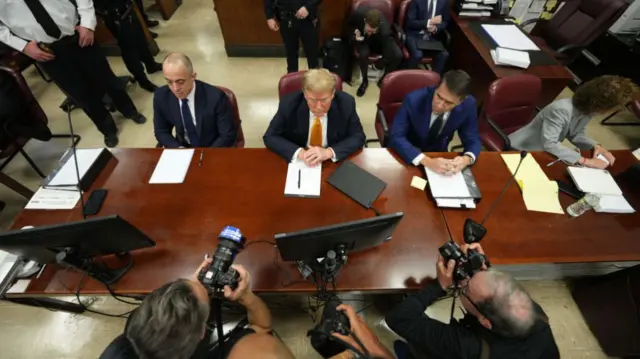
point(132, 42)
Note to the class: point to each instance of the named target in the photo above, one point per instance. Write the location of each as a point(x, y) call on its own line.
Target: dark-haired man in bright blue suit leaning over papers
point(429, 117)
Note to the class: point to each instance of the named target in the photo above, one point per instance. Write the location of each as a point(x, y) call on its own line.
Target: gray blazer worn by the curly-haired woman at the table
point(555, 123)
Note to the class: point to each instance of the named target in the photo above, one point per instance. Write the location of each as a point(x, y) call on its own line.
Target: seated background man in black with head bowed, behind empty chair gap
point(371, 34)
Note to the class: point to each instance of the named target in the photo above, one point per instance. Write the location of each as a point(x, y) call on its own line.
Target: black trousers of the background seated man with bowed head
point(391, 55)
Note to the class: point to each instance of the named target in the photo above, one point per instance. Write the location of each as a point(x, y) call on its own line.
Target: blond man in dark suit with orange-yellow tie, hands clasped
point(315, 124)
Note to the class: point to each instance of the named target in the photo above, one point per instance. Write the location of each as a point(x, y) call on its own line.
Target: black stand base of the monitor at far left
point(96, 270)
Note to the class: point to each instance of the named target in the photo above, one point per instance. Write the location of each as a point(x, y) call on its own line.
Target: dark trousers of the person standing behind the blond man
point(294, 30)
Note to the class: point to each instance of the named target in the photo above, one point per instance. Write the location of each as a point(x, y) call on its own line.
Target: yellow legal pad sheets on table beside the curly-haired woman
point(539, 194)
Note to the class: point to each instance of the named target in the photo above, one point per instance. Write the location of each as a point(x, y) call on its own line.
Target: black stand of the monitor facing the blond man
point(325, 270)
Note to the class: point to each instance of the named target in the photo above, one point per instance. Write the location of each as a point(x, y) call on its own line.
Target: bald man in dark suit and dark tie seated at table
point(200, 113)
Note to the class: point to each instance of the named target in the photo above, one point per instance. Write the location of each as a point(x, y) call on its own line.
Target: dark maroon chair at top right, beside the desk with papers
point(576, 25)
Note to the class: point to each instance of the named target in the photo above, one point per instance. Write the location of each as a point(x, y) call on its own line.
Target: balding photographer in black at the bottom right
point(502, 321)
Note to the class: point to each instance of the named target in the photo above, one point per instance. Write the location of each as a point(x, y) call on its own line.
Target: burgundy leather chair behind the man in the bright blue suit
point(395, 86)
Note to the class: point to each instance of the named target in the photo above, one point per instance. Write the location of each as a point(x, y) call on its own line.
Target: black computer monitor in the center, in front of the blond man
point(354, 236)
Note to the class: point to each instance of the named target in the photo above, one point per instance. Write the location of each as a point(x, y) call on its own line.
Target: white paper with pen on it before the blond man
point(302, 180)
